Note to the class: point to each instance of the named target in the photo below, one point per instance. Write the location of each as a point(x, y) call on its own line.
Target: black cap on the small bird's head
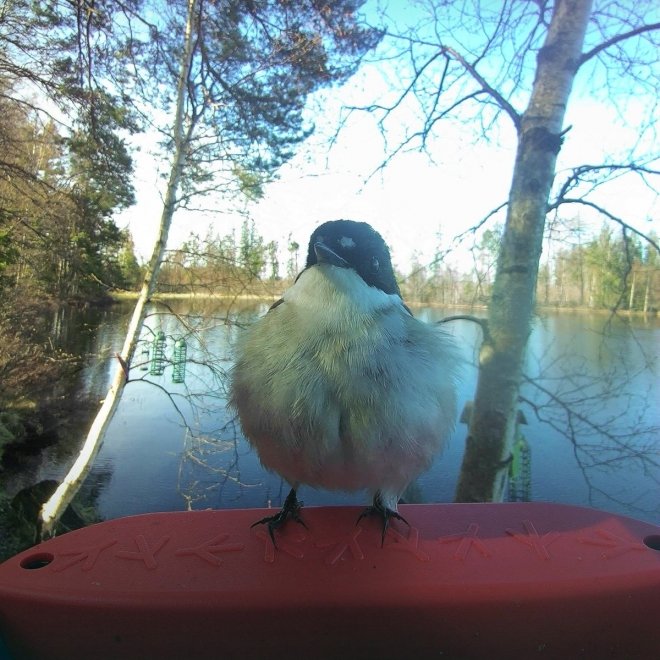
point(356, 245)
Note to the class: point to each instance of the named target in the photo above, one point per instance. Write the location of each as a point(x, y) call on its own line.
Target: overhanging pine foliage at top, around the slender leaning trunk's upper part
point(252, 69)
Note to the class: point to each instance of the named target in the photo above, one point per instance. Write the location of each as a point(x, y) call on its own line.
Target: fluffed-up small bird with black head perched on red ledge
point(338, 386)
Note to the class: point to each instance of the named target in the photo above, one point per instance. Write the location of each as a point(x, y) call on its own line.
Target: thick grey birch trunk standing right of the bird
point(492, 424)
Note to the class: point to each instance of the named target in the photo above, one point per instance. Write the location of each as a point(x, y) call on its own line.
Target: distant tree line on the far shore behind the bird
point(607, 271)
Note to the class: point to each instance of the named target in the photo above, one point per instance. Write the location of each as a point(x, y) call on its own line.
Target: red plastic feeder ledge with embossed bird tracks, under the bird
point(465, 580)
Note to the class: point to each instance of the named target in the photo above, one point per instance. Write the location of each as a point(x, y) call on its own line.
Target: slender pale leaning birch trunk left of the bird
point(52, 510)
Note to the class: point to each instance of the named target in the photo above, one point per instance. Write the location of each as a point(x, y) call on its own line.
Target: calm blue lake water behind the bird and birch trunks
point(591, 410)
